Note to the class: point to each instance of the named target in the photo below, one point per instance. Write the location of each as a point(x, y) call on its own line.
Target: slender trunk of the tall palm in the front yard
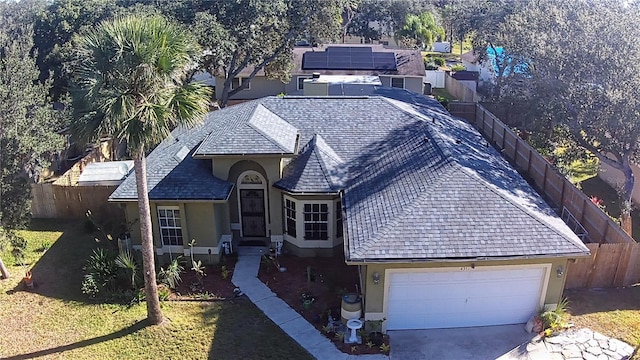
point(154, 313)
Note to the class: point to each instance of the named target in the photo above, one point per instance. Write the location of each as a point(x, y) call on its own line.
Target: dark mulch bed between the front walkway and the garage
point(330, 279)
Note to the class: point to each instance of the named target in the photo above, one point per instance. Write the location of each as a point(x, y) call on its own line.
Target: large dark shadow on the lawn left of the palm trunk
point(58, 273)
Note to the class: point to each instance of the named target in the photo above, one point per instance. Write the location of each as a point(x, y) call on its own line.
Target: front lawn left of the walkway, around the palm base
point(55, 320)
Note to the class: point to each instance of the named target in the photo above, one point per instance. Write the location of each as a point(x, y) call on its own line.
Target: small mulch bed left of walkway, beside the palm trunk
point(214, 285)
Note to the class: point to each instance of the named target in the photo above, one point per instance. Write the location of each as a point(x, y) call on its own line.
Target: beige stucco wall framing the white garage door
point(374, 293)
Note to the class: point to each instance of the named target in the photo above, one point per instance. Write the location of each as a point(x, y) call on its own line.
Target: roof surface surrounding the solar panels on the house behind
point(408, 62)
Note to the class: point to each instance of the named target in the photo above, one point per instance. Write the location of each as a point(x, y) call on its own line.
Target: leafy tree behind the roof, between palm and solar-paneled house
point(259, 34)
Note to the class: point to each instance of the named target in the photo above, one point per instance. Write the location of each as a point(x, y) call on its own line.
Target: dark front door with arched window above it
point(252, 204)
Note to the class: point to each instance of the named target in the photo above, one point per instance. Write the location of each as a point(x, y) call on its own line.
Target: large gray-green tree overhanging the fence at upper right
point(581, 73)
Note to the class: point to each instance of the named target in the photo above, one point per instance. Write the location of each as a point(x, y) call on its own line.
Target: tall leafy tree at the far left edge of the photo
point(28, 122)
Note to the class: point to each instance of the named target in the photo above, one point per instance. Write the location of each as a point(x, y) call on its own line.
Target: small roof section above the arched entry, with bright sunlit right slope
point(251, 130)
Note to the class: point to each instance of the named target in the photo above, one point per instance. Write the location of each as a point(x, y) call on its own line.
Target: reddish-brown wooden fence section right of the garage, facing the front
point(610, 265)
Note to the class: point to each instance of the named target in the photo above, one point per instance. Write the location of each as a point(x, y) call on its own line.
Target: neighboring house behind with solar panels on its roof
point(400, 68)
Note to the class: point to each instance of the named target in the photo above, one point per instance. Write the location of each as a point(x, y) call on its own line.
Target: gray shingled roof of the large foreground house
point(417, 183)
